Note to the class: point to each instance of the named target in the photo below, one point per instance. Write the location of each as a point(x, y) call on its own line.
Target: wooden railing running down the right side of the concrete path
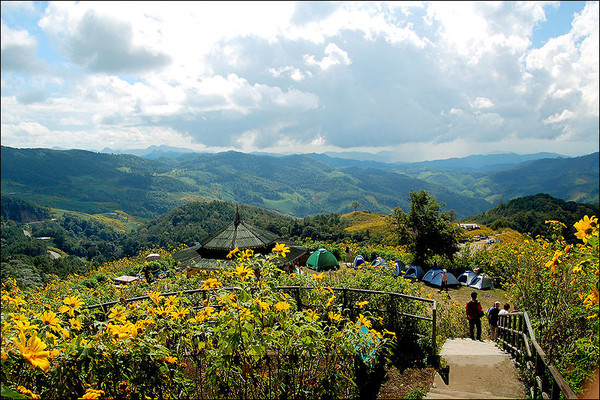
point(516, 336)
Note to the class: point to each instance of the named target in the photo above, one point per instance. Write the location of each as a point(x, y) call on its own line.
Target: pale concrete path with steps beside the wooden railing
point(478, 370)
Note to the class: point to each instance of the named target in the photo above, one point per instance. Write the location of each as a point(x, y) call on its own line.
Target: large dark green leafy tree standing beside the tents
point(425, 230)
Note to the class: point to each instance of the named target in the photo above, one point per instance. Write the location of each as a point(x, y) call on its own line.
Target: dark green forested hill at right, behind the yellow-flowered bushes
point(529, 214)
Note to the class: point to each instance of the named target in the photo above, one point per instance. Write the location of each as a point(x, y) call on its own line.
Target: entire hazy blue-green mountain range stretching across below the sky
point(298, 185)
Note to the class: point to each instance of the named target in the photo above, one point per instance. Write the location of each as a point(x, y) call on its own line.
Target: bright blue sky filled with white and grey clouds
point(404, 81)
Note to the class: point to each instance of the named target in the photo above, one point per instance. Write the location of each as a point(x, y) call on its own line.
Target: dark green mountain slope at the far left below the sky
point(89, 182)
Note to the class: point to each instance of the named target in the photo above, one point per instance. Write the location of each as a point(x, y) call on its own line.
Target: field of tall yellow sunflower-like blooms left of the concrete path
point(235, 337)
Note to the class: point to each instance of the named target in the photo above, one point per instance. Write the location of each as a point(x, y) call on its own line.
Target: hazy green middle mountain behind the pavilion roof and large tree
point(300, 185)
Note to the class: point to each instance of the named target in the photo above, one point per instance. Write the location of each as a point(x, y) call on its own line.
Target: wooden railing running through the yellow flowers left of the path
point(347, 303)
